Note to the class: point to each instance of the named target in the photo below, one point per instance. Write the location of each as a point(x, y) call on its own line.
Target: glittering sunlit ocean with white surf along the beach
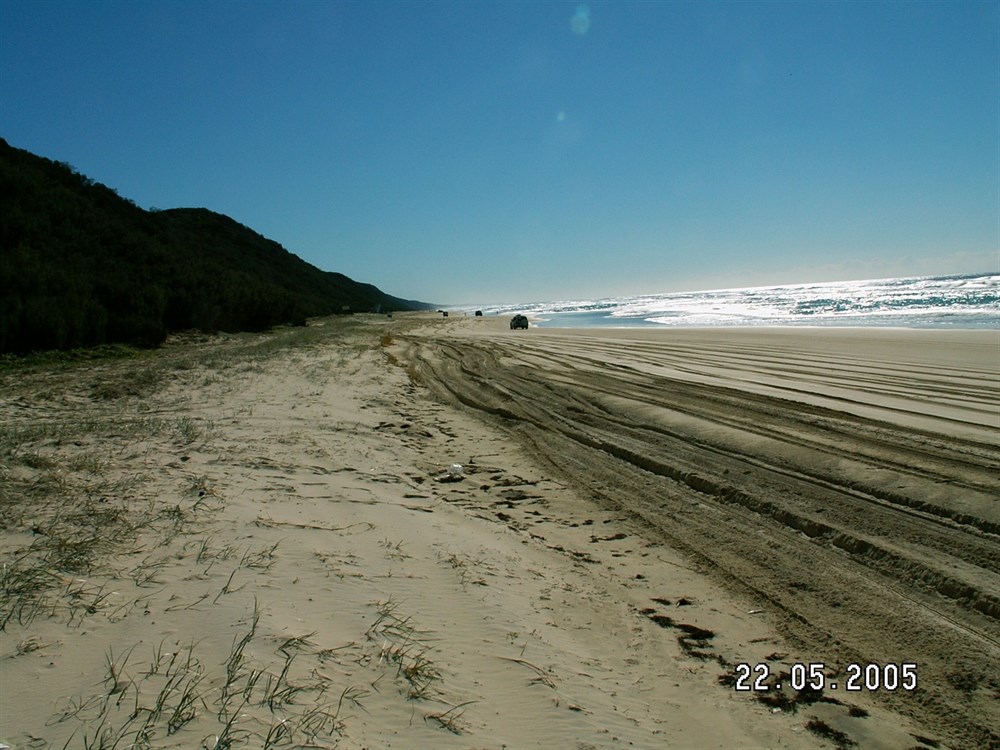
point(966, 301)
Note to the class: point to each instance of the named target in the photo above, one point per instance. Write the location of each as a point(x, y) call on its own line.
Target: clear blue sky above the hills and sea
point(506, 151)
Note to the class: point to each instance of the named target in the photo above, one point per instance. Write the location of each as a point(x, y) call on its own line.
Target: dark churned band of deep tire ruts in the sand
point(764, 492)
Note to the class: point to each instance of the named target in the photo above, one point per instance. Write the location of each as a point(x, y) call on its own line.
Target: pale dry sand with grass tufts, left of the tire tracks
point(256, 541)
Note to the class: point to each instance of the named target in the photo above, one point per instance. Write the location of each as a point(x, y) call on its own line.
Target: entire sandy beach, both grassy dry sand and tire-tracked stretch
point(267, 541)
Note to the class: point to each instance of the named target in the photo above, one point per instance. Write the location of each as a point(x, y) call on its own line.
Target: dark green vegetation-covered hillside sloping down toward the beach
point(81, 266)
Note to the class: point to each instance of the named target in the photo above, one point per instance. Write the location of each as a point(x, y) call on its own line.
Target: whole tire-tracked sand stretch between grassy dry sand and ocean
point(846, 478)
